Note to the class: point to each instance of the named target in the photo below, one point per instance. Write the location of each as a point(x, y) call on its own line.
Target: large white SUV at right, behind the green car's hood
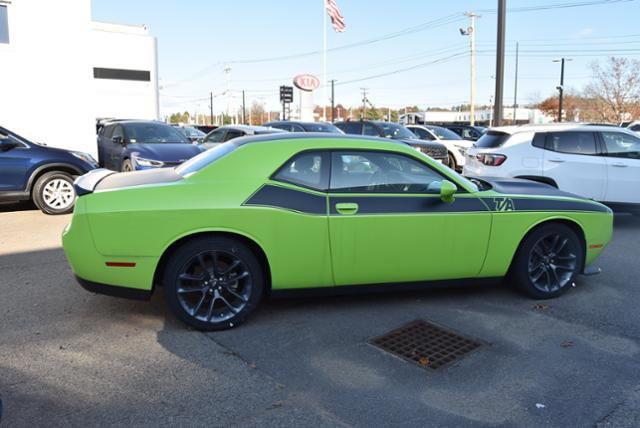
point(597, 162)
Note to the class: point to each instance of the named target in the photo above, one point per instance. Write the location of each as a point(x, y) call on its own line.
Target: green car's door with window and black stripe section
point(386, 225)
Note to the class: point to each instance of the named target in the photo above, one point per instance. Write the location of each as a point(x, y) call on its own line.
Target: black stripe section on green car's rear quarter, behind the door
point(290, 199)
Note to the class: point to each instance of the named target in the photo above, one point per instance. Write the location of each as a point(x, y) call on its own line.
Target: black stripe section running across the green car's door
point(408, 204)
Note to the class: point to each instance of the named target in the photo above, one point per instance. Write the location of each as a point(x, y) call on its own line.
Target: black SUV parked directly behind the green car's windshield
point(378, 128)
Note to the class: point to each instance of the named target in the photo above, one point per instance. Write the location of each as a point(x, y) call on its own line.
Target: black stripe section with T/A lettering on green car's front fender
point(504, 204)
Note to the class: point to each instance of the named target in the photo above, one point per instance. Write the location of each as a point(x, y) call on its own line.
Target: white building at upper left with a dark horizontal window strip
point(60, 71)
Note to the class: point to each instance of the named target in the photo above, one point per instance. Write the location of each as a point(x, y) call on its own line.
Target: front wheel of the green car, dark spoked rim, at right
point(547, 261)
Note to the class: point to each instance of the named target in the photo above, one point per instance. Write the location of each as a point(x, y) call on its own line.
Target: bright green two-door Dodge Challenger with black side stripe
point(281, 212)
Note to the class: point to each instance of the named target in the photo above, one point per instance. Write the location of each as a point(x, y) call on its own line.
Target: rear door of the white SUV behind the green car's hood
point(572, 160)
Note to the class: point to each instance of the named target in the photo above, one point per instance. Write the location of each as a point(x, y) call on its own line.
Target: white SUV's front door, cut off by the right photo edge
point(623, 167)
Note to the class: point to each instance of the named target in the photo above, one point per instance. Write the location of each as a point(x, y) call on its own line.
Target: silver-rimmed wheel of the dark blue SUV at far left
point(53, 193)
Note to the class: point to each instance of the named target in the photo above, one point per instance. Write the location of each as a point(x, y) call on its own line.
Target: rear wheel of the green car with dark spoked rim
point(213, 283)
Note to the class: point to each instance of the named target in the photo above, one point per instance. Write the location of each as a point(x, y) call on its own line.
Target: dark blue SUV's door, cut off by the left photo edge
point(15, 160)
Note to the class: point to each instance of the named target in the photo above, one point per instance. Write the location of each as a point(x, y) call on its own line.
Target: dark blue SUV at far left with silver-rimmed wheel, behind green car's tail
point(43, 174)
